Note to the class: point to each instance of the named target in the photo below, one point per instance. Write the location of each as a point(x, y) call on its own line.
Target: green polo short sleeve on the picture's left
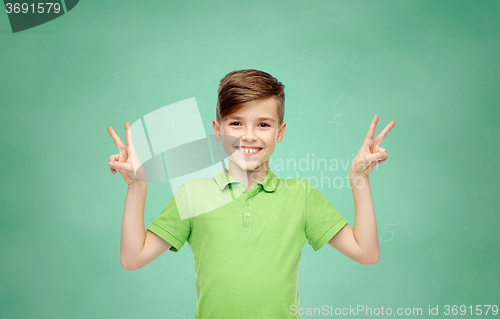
point(169, 225)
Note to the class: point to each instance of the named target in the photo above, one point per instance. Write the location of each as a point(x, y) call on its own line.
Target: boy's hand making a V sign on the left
point(126, 161)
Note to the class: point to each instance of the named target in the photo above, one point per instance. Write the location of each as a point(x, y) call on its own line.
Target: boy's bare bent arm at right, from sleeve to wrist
point(361, 242)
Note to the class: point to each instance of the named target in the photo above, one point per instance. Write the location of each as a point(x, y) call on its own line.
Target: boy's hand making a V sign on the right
point(370, 154)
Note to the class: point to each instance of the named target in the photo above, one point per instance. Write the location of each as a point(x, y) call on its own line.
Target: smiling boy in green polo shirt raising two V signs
point(247, 251)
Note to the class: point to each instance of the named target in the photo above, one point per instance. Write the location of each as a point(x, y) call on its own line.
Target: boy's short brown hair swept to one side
point(239, 87)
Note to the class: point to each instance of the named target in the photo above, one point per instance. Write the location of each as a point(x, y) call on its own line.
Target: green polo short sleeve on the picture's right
point(322, 220)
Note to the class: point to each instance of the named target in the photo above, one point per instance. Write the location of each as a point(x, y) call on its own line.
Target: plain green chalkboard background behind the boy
point(430, 66)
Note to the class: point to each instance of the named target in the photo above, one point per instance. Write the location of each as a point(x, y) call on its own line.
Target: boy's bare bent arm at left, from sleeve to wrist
point(137, 246)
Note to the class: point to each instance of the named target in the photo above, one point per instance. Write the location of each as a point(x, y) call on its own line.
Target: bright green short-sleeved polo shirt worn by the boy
point(247, 251)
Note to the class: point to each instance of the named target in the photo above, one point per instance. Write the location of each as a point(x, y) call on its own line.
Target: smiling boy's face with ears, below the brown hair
point(249, 136)
